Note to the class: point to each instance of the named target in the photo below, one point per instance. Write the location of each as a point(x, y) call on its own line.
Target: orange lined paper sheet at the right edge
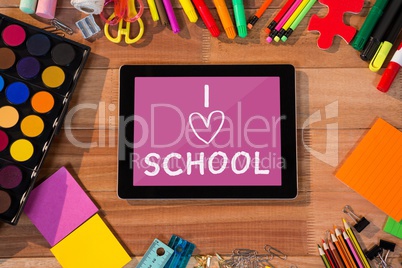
point(374, 168)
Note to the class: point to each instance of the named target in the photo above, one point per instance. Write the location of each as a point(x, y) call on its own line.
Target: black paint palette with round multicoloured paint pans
point(38, 74)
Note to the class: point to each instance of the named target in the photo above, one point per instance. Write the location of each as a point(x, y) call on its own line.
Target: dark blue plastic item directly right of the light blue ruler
point(182, 252)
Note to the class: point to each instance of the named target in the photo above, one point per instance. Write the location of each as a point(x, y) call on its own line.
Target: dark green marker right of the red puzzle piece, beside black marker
point(364, 33)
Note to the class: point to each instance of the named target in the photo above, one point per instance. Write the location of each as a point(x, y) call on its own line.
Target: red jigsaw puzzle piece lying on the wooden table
point(333, 24)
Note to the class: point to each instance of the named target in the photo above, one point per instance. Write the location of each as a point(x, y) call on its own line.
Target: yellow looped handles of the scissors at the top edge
point(125, 31)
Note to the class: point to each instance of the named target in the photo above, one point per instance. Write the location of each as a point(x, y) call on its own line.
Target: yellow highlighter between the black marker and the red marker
point(386, 46)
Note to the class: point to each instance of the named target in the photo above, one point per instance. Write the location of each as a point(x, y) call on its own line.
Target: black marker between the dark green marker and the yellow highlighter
point(391, 11)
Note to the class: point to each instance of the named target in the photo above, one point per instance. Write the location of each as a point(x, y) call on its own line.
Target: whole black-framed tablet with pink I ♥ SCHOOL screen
point(207, 132)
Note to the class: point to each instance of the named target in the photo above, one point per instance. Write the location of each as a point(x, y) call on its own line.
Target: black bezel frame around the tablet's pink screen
point(288, 189)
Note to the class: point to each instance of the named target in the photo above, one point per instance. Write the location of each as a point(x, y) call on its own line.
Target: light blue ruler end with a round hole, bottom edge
point(157, 255)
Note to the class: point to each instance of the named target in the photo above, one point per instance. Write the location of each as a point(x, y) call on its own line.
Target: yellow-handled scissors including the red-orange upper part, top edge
point(125, 13)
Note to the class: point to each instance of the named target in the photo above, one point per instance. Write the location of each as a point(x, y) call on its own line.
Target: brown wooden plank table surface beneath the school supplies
point(335, 79)
